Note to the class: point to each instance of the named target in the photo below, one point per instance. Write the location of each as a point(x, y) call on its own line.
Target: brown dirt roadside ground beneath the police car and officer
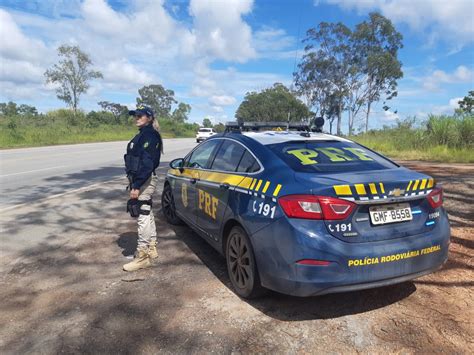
point(69, 295)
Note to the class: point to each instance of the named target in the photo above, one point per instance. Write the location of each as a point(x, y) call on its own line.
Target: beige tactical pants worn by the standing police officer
point(146, 222)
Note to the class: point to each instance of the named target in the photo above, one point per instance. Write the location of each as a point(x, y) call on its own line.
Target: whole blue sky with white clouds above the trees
point(212, 52)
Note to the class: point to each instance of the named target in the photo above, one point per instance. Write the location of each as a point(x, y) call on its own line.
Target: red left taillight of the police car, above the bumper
point(316, 207)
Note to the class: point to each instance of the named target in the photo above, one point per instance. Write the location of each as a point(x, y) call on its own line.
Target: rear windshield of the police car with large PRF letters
point(329, 157)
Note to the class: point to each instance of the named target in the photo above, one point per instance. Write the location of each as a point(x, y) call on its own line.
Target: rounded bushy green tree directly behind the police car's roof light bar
point(275, 104)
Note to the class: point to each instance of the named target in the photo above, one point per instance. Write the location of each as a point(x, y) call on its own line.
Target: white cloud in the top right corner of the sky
point(450, 20)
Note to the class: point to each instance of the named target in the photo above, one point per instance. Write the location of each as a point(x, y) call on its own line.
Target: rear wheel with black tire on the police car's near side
point(241, 265)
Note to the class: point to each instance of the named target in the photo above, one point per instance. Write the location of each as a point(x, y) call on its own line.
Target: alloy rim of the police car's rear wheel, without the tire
point(239, 260)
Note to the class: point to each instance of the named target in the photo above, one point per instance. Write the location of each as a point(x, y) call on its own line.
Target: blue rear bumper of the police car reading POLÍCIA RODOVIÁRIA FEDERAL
point(353, 266)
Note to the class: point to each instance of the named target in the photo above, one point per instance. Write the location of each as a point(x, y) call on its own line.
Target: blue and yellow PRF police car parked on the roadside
point(306, 213)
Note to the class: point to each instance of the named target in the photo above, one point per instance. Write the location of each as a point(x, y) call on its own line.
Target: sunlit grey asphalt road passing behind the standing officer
point(31, 174)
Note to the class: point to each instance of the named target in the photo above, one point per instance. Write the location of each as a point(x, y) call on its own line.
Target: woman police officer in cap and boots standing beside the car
point(142, 158)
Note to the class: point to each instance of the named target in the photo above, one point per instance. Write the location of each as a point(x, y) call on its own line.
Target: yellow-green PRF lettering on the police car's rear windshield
point(308, 156)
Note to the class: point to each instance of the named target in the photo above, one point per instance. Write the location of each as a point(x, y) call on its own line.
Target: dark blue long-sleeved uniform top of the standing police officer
point(144, 152)
